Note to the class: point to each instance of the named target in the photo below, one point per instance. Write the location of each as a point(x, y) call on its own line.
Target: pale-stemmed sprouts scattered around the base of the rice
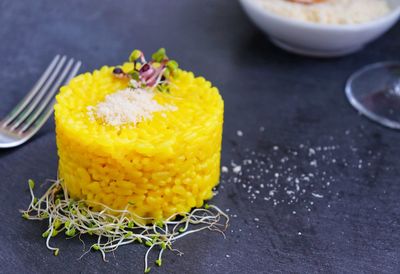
point(115, 228)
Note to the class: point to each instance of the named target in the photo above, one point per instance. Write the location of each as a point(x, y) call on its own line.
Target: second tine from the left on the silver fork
point(19, 119)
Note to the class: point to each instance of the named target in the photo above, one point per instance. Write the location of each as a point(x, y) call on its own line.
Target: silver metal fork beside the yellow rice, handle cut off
point(32, 112)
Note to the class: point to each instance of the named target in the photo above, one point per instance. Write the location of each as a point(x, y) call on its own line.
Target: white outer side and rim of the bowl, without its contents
point(319, 40)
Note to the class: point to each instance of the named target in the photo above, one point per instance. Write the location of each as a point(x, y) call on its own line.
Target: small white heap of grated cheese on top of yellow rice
point(127, 106)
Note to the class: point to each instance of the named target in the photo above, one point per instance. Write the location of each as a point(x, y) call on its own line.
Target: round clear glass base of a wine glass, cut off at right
point(375, 92)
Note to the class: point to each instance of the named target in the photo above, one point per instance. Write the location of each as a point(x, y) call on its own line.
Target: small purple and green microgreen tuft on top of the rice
point(155, 73)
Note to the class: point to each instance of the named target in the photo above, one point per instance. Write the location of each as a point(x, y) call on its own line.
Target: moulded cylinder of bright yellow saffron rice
point(159, 167)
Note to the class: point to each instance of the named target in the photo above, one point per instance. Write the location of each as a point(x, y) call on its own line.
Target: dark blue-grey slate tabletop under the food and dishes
point(354, 228)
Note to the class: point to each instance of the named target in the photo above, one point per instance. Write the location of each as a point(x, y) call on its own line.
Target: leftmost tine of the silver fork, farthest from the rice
point(25, 101)
